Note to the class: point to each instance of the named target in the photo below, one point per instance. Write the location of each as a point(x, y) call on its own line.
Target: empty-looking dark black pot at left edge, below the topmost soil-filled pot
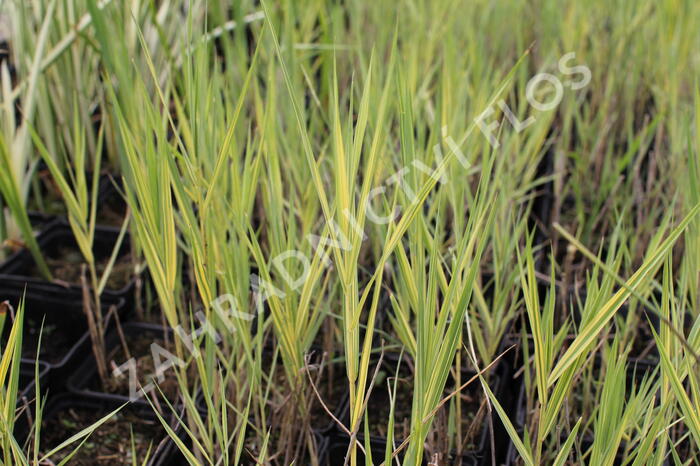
point(63, 339)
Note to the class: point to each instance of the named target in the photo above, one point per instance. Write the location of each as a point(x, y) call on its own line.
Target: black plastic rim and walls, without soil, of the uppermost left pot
point(59, 236)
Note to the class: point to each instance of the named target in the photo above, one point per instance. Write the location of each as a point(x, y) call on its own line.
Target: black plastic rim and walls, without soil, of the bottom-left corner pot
point(101, 406)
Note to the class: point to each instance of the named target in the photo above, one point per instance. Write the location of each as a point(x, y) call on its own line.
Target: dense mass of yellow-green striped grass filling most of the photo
point(258, 143)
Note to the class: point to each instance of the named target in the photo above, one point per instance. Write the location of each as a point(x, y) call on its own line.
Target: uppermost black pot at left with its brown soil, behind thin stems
point(59, 248)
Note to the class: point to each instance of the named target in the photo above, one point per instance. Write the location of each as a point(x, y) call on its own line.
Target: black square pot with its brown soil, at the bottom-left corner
point(110, 444)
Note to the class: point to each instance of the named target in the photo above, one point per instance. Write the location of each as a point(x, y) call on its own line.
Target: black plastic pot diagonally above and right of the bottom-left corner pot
point(85, 381)
